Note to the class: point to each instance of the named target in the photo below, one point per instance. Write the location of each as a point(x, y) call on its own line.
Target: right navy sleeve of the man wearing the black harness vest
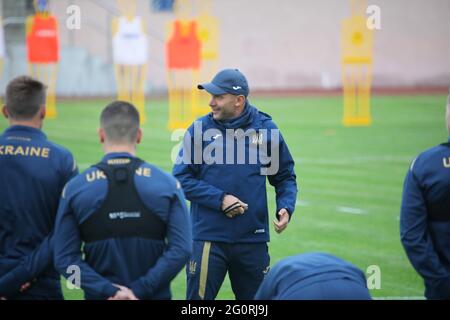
point(178, 250)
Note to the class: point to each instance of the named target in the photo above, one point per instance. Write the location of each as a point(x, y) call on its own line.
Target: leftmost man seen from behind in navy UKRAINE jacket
point(33, 172)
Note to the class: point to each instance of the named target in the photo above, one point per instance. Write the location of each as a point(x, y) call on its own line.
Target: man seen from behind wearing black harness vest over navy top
point(130, 215)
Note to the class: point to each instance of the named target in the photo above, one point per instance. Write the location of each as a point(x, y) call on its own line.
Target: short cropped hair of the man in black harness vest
point(120, 120)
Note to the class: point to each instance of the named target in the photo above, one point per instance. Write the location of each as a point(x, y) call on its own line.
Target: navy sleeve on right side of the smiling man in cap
point(284, 180)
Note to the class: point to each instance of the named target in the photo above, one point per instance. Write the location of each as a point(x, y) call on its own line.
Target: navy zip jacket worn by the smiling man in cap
point(206, 176)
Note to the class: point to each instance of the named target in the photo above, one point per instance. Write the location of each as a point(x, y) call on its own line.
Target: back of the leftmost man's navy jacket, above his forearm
point(33, 172)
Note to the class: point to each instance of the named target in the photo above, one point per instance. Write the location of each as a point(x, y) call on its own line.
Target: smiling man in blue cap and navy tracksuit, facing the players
point(223, 173)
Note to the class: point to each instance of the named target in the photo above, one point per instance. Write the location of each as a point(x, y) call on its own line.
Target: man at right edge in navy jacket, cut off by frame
point(425, 217)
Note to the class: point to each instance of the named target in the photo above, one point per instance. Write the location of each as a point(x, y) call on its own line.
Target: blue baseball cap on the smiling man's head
point(227, 81)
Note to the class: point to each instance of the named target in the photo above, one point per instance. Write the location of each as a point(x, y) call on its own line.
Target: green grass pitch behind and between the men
point(350, 179)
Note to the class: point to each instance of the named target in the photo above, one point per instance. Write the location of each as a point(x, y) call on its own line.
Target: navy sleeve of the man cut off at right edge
point(414, 232)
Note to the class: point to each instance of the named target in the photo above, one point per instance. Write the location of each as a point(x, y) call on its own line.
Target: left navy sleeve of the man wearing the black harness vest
point(67, 252)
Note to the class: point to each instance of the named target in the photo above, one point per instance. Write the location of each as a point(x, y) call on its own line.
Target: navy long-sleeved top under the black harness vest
point(146, 266)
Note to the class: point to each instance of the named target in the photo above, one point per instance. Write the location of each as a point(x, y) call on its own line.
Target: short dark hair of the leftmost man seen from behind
point(24, 97)
